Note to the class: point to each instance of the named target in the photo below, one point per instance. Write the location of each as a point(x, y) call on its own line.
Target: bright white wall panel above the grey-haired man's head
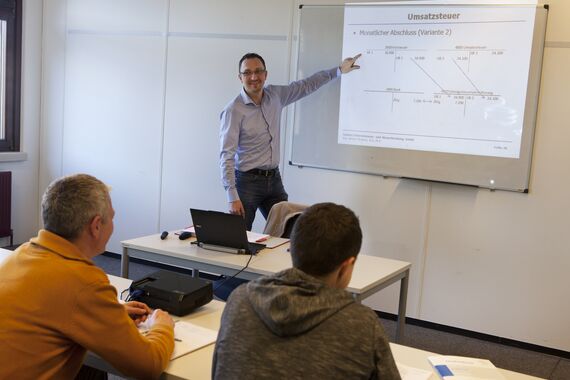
point(114, 104)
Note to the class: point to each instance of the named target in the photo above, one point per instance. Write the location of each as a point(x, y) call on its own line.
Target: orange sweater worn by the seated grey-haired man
point(55, 304)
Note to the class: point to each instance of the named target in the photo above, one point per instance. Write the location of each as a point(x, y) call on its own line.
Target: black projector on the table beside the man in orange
point(176, 293)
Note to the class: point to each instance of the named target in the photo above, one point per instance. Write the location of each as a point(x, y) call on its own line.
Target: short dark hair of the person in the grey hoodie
point(325, 235)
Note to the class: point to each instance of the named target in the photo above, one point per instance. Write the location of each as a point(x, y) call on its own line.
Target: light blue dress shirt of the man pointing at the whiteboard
point(250, 133)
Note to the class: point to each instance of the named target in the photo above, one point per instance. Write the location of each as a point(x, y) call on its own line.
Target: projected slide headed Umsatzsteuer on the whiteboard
point(434, 78)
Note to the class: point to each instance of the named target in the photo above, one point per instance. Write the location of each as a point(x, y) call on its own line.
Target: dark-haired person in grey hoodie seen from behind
point(301, 323)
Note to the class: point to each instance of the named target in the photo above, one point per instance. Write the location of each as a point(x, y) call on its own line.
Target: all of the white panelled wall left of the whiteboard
point(135, 91)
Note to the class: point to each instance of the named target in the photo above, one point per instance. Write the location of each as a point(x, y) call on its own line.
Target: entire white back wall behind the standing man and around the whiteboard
point(132, 92)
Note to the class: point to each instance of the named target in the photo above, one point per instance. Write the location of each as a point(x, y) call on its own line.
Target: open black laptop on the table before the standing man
point(223, 232)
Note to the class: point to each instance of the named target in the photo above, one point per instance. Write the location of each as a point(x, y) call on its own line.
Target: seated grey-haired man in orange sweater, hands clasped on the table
point(56, 303)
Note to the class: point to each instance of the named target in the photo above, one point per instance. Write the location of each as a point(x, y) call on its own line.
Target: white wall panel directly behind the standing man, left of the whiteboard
point(207, 39)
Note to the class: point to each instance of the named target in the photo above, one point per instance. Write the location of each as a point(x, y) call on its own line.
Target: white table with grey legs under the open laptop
point(370, 275)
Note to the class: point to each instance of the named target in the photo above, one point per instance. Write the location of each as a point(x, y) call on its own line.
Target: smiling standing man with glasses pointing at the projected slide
point(250, 135)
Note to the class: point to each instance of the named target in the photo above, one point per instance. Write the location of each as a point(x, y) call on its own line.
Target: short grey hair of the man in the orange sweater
point(70, 203)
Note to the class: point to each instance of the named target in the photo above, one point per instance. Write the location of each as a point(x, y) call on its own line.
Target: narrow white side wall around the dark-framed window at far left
point(25, 173)
